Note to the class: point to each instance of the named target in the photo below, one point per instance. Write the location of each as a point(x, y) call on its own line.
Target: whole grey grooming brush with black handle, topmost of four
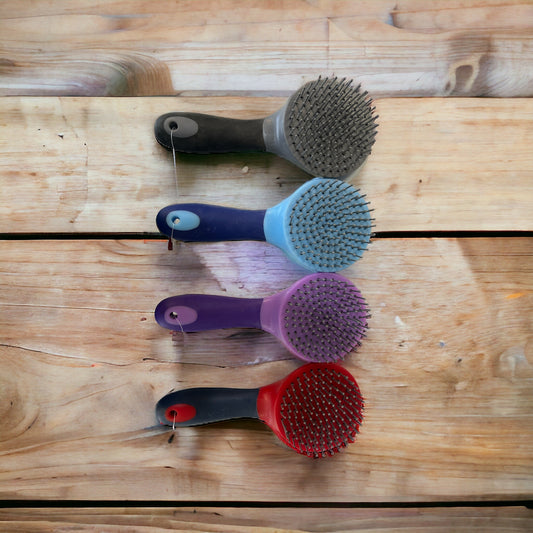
point(326, 128)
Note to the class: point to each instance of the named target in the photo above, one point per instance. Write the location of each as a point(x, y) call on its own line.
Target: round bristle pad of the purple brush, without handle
point(325, 318)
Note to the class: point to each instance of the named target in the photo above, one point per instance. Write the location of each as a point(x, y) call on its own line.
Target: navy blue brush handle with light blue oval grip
point(210, 223)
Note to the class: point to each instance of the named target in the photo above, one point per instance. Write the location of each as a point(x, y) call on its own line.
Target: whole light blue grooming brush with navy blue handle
point(324, 226)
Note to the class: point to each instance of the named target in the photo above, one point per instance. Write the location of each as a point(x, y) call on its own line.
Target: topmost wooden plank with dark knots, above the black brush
point(475, 48)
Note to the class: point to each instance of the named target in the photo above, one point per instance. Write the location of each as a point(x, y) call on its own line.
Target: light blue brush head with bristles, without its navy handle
point(324, 226)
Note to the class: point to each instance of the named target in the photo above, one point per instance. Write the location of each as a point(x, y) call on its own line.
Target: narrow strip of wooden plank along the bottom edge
point(249, 519)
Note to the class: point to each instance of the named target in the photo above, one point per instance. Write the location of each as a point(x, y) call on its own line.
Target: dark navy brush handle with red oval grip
point(202, 405)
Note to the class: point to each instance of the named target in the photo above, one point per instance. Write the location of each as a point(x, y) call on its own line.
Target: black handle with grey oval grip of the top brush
point(196, 133)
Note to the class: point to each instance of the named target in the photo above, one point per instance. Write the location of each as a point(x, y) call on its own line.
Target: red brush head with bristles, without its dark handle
point(316, 410)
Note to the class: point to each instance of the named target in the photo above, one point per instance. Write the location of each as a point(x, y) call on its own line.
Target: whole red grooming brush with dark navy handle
point(316, 410)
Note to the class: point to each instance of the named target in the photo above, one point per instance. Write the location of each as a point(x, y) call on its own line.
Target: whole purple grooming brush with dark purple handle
point(320, 318)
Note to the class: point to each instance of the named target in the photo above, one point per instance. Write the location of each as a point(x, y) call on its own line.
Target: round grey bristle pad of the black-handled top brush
point(330, 127)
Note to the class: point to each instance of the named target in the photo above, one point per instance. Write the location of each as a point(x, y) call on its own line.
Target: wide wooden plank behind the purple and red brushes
point(446, 371)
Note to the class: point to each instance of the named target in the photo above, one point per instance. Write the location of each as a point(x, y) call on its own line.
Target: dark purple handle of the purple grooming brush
point(200, 312)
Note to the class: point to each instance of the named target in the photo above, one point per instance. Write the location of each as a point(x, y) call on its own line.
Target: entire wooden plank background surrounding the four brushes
point(447, 368)
